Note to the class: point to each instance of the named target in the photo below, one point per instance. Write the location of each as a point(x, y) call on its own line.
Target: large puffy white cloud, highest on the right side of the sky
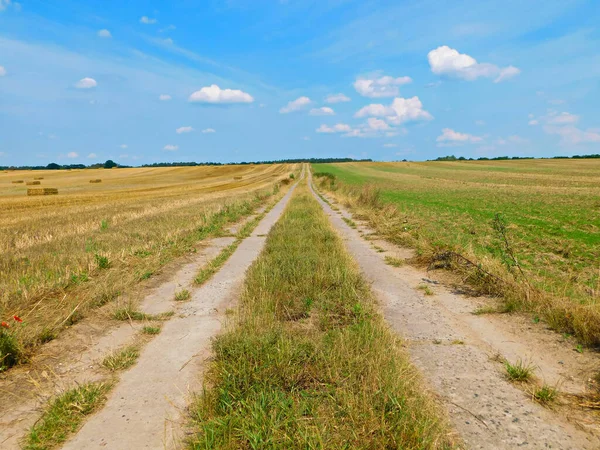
point(448, 61)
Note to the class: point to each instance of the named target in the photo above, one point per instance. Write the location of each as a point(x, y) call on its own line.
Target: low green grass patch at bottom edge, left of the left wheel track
point(64, 416)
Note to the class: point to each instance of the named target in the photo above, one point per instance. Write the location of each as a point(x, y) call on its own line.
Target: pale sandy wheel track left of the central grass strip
point(145, 410)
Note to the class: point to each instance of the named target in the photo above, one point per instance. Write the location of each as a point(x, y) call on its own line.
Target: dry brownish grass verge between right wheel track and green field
point(502, 278)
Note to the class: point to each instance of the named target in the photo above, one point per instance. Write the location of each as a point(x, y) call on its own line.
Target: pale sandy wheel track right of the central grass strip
point(456, 358)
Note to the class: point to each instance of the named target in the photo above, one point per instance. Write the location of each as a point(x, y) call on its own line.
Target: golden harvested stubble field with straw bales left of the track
point(65, 254)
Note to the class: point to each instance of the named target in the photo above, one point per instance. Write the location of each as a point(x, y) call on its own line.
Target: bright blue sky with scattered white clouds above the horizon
point(239, 80)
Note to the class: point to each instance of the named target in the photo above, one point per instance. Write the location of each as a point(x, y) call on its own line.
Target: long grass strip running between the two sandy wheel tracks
point(308, 362)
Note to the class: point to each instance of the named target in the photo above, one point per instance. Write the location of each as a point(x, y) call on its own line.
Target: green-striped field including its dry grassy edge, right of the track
point(533, 226)
